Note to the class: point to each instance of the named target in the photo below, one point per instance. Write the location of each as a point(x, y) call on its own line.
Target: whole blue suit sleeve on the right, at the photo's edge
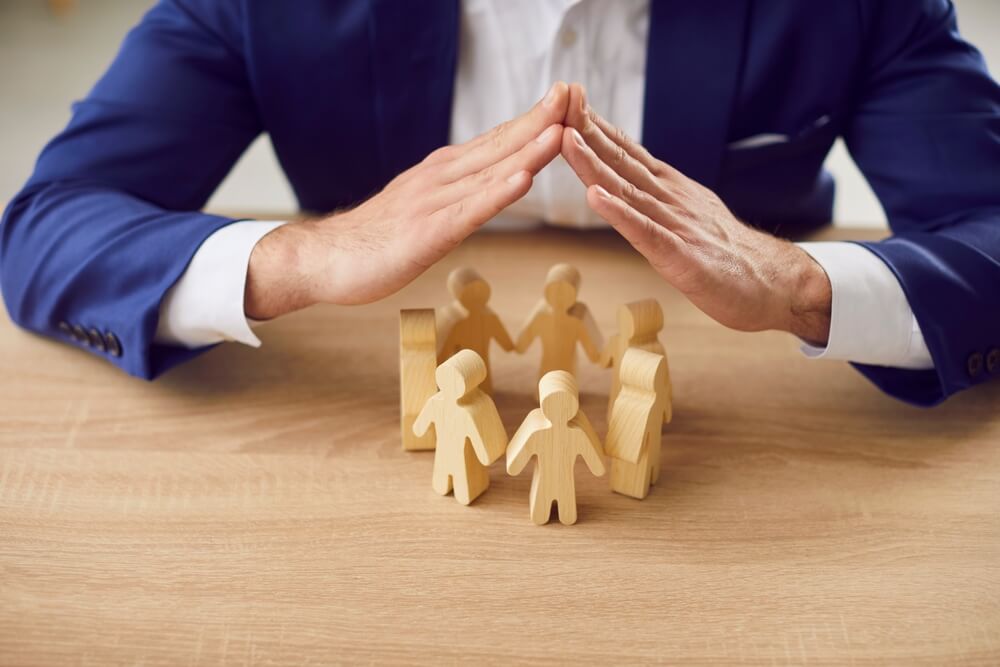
point(926, 134)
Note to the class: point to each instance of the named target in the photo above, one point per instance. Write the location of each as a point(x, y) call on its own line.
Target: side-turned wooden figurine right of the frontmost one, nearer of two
point(634, 431)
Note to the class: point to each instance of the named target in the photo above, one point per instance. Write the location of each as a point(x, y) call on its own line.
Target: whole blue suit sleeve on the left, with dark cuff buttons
point(109, 219)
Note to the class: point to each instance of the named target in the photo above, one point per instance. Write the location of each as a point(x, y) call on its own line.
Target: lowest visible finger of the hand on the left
point(455, 222)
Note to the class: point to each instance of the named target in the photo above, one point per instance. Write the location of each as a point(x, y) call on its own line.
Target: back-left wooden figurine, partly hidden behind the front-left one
point(468, 323)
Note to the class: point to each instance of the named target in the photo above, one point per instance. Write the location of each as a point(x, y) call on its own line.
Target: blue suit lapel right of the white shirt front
point(693, 66)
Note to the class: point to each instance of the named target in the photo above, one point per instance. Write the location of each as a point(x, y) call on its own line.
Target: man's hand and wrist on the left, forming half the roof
point(371, 251)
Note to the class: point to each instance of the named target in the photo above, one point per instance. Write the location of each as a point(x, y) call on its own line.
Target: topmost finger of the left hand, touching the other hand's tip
point(506, 138)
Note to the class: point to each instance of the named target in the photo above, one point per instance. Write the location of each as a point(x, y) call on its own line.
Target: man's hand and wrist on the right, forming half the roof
point(739, 276)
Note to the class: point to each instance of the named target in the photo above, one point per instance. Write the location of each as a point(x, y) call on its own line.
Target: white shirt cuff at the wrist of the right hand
point(871, 321)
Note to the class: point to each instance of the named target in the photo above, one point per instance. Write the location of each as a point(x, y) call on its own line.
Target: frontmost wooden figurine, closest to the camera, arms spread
point(556, 433)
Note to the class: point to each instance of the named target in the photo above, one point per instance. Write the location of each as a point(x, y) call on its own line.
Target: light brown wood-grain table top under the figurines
point(255, 506)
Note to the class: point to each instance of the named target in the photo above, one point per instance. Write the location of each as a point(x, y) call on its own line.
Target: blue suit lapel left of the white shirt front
point(415, 48)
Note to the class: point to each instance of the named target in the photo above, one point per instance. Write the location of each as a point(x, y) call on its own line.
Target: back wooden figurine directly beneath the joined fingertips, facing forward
point(562, 323)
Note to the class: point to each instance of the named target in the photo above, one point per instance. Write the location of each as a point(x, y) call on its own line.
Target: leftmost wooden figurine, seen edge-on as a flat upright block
point(417, 363)
